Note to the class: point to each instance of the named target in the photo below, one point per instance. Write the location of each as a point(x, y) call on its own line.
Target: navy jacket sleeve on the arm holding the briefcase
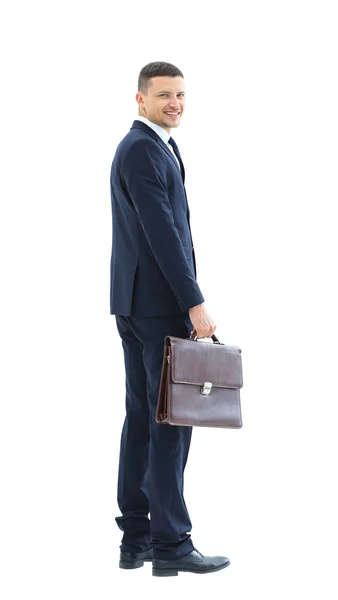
point(144, 175)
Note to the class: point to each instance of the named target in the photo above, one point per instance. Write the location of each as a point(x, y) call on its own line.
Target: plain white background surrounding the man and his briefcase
point(259, 144)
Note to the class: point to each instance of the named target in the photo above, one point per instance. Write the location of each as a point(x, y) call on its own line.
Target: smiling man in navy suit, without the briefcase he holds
point(154, 293)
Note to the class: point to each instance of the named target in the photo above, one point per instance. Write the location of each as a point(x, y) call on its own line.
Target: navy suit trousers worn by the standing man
point(152, 455)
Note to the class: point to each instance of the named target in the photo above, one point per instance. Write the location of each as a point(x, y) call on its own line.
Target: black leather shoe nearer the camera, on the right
point(194, 562)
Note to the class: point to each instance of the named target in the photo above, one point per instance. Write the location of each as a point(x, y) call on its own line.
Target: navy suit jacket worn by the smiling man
point(152, 268)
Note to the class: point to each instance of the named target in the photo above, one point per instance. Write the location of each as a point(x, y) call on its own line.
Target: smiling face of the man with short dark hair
point(165, 95)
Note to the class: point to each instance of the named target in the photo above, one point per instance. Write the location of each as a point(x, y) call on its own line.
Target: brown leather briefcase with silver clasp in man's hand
point(200, 383)
